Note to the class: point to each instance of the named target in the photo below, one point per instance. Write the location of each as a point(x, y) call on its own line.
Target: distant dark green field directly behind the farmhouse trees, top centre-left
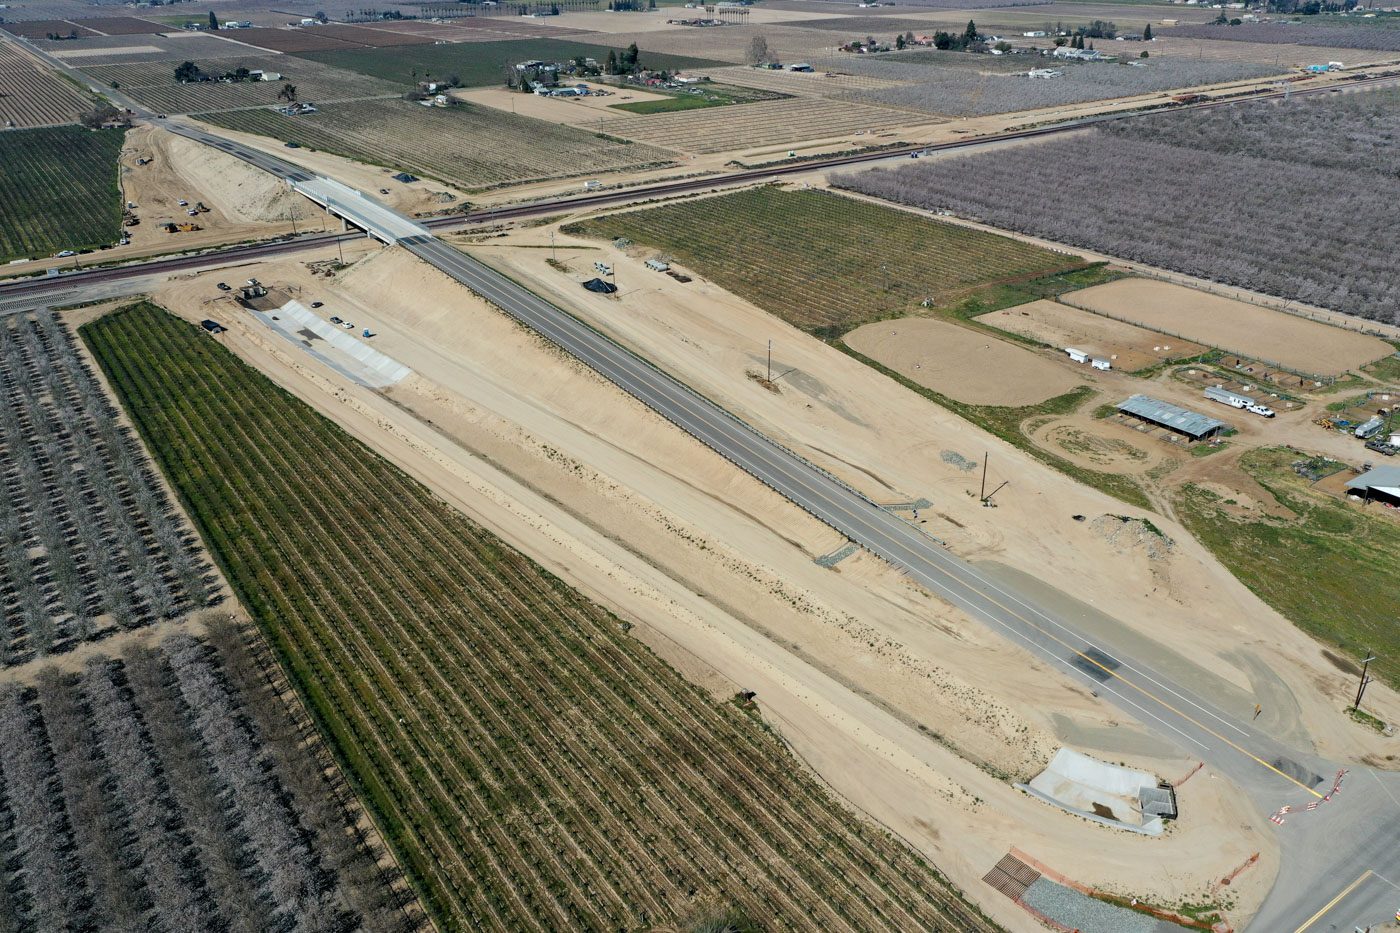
point(479, 64)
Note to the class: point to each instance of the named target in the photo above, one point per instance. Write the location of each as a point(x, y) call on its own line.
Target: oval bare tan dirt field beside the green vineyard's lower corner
point(962, 364)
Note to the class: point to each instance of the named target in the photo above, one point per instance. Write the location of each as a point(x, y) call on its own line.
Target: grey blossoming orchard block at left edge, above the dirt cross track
point(79, 492)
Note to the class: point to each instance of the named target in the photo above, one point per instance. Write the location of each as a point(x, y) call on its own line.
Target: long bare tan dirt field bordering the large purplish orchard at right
point(1248, 330)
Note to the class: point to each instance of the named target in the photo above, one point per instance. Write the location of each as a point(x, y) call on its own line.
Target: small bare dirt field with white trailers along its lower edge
point(1128, 347)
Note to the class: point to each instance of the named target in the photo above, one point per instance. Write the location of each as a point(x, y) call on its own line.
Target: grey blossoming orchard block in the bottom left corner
point(167, 789)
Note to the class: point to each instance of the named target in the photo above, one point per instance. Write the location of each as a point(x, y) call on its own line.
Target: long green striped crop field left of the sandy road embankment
point(533, 766)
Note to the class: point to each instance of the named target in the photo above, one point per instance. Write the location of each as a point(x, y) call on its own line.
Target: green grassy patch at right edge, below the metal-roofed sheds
point(1328, 571)
